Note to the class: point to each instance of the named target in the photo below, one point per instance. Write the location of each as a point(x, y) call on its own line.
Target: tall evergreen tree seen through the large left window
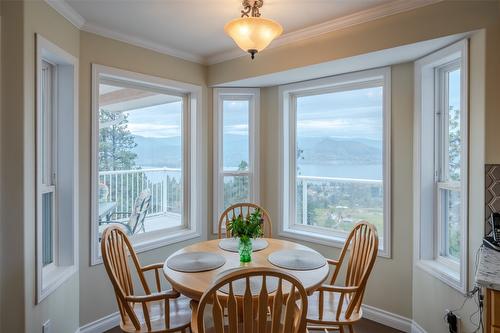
point(116, 142)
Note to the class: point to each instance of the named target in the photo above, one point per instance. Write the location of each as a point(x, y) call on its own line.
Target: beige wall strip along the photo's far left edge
point(11, 243)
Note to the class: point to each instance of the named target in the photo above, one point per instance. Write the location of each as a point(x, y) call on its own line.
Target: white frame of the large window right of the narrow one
point(287, 93)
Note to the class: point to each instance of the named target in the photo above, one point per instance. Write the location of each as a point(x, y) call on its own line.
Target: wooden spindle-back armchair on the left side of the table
point(160, 311)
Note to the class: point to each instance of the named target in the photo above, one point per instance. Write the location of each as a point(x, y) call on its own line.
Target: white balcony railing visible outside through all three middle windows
point(165, 185)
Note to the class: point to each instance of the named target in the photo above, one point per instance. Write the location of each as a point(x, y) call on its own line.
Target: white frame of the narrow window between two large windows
point(253, 96)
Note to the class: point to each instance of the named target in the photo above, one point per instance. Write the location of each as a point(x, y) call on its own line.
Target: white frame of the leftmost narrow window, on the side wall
point(63, 178)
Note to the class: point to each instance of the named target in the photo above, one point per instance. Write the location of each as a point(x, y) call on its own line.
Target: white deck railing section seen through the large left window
point(124, 186)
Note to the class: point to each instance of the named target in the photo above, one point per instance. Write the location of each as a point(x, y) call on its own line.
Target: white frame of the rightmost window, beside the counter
point(429, 164)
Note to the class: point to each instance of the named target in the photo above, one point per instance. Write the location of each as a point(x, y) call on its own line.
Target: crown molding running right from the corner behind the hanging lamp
point(343, 22)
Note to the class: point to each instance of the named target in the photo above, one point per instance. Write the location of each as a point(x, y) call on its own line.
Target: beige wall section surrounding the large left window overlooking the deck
point(96, 294)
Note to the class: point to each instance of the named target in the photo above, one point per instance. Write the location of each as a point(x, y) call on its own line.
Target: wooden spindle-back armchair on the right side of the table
point(334, 308)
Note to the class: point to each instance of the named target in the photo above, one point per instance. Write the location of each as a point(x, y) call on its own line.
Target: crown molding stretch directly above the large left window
point(141, 42)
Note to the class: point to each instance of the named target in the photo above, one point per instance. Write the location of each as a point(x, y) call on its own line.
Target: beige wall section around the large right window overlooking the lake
point(393, 274)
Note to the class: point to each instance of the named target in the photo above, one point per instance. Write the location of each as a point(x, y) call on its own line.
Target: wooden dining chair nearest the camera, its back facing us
point(249, 312)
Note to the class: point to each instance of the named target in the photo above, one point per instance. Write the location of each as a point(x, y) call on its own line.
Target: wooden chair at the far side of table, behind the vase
point(244, 209)
